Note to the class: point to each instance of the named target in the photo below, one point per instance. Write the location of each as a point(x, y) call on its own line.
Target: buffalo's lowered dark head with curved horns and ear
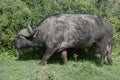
point(26, 38)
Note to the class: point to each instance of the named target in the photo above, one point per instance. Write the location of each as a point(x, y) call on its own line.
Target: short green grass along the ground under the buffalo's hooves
point(80, 70)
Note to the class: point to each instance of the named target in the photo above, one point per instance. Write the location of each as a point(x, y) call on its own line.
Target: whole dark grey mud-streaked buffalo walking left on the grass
point(62, 31)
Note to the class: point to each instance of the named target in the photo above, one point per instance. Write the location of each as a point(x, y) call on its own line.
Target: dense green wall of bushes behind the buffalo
point(15, 14)
